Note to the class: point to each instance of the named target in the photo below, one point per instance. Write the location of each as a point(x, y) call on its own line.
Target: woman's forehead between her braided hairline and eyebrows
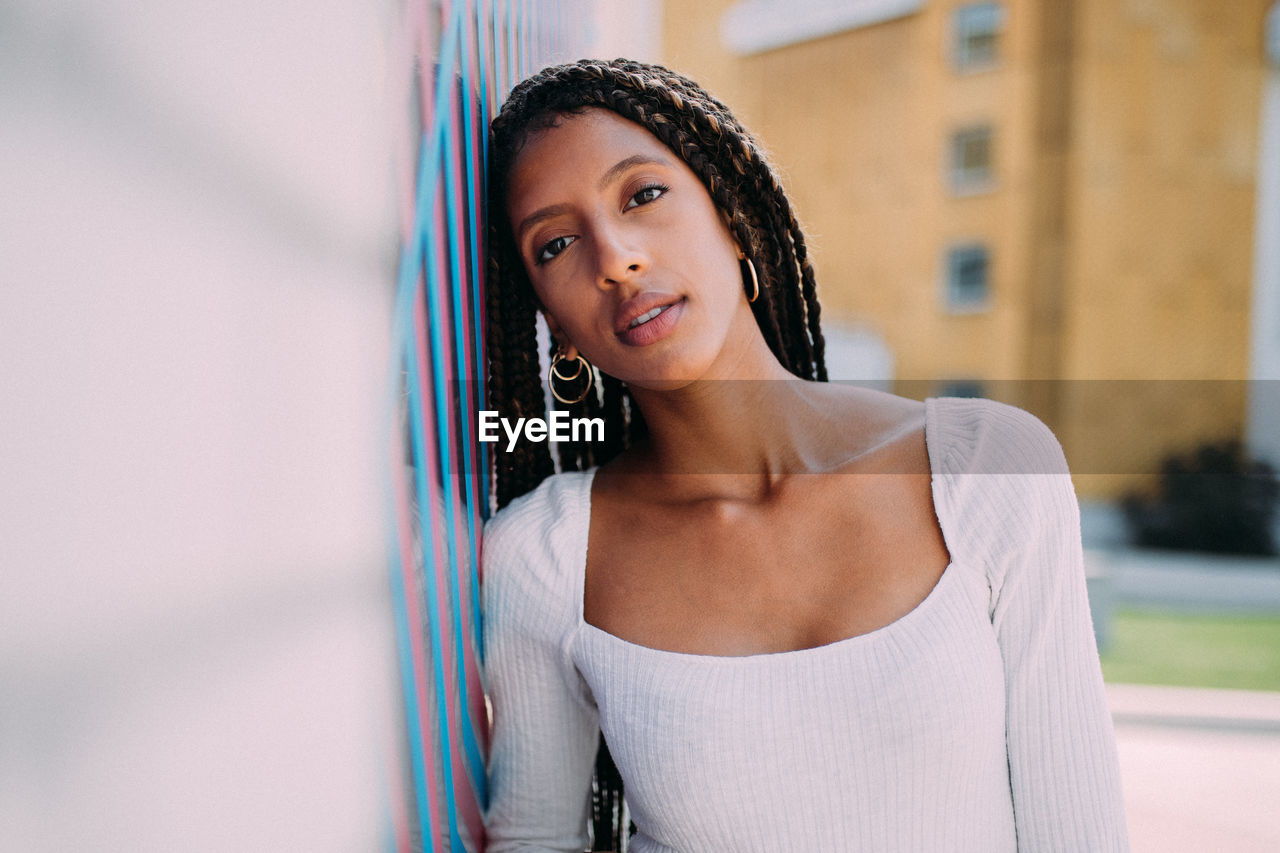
point(579, 148)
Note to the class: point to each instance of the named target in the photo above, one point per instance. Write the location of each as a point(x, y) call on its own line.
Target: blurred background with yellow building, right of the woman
point(1075, 208)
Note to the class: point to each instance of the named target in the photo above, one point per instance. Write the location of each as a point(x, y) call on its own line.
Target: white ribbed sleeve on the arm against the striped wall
point(545, 726)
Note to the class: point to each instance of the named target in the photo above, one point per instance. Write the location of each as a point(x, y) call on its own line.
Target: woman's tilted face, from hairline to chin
point(628, 253)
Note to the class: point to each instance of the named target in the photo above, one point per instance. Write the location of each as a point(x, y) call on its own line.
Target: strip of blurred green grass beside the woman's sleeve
point(1194, 651)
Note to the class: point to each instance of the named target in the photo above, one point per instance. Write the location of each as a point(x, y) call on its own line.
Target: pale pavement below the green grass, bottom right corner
point(1201, 769)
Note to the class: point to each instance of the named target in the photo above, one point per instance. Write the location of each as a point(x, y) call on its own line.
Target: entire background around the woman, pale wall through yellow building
point(240, 264)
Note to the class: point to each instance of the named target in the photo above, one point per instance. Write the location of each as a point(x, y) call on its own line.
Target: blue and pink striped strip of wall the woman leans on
point(459, 60)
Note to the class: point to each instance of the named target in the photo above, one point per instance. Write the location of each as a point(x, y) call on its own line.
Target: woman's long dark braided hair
point(732, 166)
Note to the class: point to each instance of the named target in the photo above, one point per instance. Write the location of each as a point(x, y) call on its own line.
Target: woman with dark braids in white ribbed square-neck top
point(778, 662)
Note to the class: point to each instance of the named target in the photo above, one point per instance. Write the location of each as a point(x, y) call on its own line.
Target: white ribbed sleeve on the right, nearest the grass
point(1063, 765)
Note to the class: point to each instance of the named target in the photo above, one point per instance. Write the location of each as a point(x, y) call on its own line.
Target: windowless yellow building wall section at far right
point(1164, 176)
